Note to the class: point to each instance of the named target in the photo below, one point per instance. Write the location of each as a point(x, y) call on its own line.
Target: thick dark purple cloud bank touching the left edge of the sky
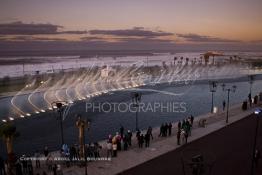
point(20, 28)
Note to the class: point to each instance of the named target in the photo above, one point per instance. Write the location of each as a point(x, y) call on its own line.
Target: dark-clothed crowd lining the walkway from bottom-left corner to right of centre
point(122, 140)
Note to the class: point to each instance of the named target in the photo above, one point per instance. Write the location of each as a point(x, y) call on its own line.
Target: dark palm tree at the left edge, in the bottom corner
point(8, 133)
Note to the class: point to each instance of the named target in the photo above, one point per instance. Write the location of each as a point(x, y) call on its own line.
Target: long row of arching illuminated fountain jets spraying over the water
point(97, 80)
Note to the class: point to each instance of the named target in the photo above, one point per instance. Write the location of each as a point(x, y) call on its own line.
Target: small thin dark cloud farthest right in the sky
point(202, 38)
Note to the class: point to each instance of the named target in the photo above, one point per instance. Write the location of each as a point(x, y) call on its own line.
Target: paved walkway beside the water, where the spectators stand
point(158, 146)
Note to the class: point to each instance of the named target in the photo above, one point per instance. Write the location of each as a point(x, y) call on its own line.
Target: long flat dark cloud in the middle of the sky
point(134, 32)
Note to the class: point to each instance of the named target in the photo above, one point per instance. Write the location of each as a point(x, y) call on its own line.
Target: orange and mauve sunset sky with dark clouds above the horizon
point(131, 21)
